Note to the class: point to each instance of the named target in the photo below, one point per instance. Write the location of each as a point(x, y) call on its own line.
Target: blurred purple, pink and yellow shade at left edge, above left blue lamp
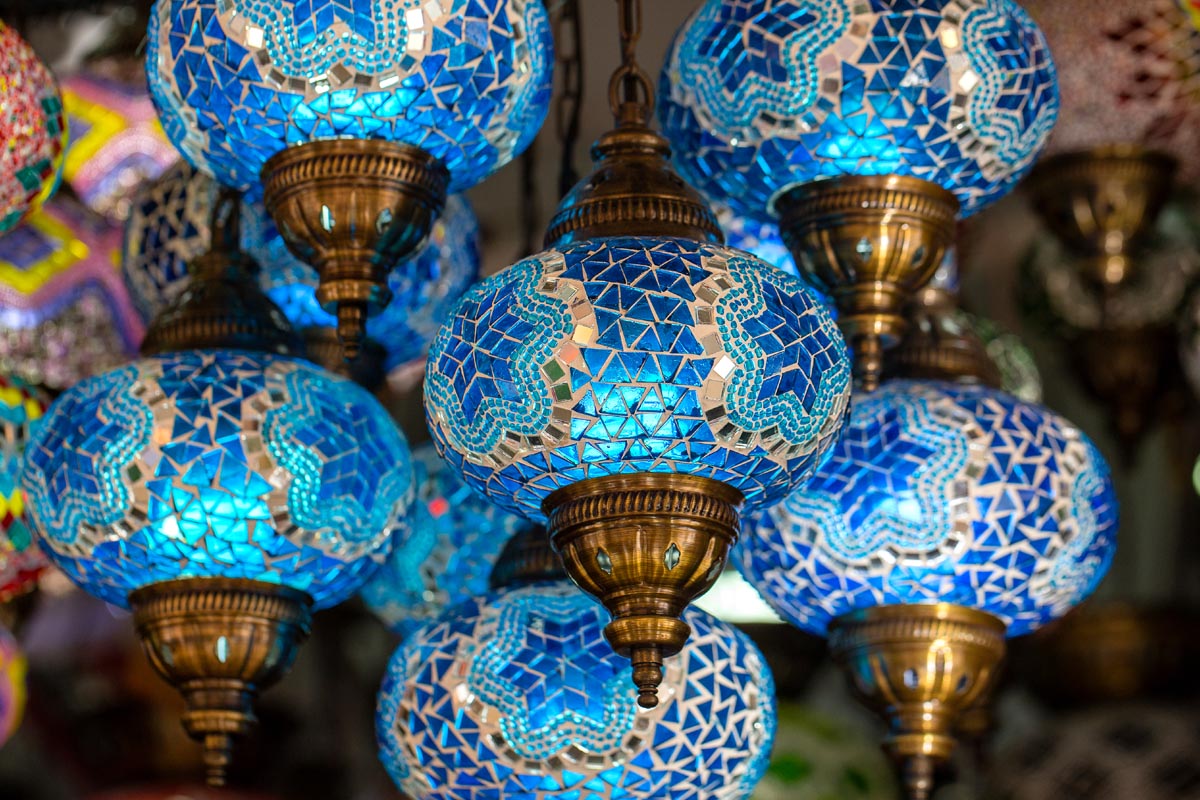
point(64, 311)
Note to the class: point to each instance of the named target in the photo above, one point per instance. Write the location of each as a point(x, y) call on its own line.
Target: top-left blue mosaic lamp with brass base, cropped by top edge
point(356, 118)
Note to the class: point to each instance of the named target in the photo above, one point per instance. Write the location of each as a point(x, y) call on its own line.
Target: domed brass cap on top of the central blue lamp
point(633, 191)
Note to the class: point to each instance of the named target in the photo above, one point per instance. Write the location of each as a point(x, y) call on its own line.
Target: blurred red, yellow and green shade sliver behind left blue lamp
point(21, 561)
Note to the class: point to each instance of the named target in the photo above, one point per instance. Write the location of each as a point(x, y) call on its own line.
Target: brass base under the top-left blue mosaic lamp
point(355, 209)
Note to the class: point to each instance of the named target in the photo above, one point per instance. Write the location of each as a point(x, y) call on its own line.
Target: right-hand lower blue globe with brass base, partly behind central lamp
point(947, 516)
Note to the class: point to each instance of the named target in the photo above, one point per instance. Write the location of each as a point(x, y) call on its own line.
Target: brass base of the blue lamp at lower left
point(220, 642)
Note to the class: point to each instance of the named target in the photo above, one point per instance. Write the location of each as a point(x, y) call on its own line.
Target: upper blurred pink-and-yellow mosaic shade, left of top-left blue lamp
point(116, 141)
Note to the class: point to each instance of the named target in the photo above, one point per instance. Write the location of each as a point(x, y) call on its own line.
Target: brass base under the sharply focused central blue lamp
point(646, 546)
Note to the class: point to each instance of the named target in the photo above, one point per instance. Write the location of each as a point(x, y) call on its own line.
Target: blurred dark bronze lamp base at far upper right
point(1103, 203)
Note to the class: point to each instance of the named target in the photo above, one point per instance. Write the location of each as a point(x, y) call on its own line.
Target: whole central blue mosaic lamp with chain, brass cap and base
point(637, 383)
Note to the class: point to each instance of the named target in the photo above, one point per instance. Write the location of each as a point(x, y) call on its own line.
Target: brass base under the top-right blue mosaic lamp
point(871, 242)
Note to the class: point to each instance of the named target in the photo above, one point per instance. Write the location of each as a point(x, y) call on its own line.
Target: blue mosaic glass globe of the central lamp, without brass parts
point(637, 356)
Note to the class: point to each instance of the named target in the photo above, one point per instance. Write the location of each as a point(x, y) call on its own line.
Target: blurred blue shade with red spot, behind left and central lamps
point(448, 554)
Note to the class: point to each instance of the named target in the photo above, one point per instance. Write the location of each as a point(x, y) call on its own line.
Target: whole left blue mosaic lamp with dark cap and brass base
point(221, 489)
